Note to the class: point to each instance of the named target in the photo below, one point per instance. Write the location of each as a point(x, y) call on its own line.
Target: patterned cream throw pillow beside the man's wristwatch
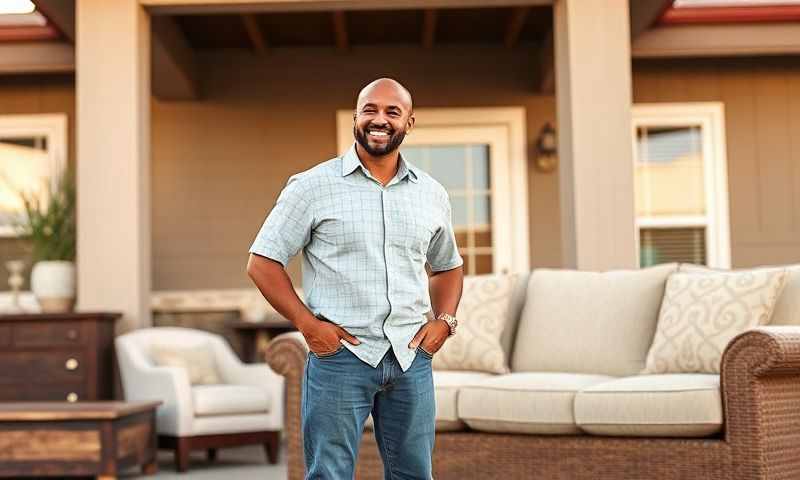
point(482, 314)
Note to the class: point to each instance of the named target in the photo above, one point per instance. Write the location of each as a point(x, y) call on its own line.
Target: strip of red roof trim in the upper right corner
point(775, 13)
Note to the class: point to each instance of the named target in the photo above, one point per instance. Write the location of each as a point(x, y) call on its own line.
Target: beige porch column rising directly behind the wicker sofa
point(593, 95)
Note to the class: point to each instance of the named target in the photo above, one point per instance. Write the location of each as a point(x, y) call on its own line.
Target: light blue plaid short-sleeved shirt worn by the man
point(364, 248)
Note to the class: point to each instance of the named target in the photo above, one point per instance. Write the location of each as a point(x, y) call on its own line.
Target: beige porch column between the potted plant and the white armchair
point(113, 164)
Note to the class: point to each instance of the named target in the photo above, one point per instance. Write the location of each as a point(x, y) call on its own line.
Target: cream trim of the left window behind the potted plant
point(51, 126)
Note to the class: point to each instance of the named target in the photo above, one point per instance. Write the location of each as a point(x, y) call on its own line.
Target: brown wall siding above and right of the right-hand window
point(762, 106)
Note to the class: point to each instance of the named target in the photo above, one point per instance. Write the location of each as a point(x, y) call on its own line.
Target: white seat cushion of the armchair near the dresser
point(229, 399)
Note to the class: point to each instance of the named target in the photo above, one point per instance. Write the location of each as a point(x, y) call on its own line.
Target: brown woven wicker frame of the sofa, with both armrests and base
point(761, 400)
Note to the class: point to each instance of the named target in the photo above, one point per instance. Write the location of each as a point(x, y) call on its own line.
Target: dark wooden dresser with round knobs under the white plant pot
point(57, 356)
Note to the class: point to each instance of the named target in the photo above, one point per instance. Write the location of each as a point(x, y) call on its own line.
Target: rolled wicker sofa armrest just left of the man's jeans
point(286, 354)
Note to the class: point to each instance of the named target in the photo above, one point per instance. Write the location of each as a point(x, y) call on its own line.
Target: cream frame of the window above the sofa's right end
point(710, 117)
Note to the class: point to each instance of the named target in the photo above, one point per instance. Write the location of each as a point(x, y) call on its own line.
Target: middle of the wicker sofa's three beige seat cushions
point(524, 402)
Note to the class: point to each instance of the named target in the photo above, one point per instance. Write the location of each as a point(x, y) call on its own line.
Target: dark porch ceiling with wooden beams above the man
point(507, 25)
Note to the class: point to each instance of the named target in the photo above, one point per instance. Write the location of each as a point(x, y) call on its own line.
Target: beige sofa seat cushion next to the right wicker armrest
point(668, 405)
